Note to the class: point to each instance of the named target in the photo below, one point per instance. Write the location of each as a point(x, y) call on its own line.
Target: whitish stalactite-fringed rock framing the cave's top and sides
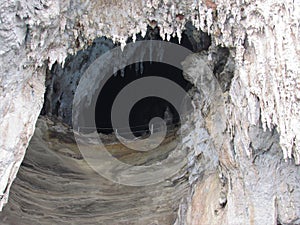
point(265, 35)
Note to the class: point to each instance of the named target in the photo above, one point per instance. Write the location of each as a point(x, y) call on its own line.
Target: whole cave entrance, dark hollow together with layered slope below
point(53, 157)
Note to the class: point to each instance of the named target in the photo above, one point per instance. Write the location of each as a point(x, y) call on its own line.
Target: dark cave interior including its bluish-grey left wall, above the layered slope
point(61, 82)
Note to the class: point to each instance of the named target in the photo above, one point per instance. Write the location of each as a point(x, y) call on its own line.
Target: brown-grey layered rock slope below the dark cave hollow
point(56, 186)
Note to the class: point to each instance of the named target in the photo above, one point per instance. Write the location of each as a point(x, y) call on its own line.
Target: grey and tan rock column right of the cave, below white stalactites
point(236, 190)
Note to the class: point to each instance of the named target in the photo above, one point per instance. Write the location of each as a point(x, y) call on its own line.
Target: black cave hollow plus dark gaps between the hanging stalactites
point(147, 108)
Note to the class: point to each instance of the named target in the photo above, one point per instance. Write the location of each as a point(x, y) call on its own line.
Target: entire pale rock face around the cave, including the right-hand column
point(251, 121)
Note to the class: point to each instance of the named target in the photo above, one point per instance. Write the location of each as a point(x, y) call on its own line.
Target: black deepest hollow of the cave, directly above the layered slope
point(145, 109)
